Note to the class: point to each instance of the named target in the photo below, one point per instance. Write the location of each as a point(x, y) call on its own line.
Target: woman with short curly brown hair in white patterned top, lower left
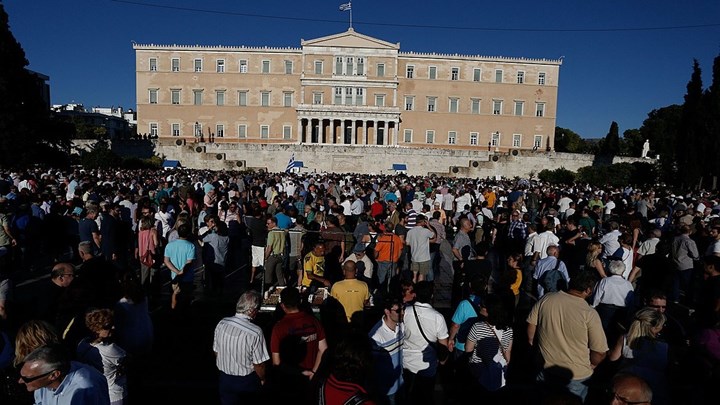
point(99, 352)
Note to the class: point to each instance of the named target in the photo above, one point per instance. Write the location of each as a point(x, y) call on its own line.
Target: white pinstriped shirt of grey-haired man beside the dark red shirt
point(239, 345)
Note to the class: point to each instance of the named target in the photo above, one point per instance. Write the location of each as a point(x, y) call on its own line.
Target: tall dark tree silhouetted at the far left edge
point(24, 115)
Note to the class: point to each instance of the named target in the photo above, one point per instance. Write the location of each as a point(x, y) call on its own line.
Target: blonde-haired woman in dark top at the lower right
point(642, 353)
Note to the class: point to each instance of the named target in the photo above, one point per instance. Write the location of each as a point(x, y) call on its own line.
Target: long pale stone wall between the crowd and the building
point(365, 159)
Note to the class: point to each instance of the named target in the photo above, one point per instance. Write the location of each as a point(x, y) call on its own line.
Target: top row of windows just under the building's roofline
point(346, 66)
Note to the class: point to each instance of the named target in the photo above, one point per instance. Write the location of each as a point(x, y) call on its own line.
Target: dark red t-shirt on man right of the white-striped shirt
point(297, 328)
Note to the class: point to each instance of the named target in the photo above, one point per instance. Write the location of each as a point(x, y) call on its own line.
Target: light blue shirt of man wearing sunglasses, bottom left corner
point(83, 385)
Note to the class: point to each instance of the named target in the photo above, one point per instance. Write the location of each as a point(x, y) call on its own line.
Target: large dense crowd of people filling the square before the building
point(557, 293)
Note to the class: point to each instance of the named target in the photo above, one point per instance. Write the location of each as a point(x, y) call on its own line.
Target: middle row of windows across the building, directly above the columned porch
point(349, 96)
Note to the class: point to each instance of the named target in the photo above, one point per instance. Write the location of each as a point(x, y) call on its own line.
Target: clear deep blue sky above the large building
point(618, 62)
